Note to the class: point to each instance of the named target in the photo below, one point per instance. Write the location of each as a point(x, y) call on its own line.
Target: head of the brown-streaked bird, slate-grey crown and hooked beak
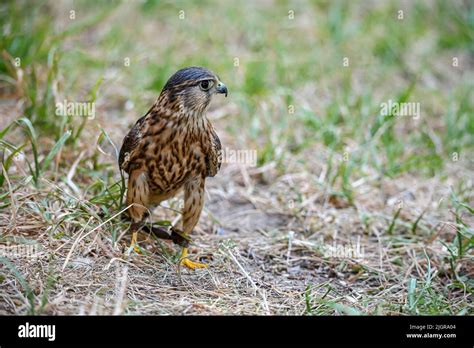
point(192, 88)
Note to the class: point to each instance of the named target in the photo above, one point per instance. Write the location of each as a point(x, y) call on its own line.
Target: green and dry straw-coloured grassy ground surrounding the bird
point(306, 83)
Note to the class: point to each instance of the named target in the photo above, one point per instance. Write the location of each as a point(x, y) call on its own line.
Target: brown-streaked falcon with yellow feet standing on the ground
point(173, 146)
